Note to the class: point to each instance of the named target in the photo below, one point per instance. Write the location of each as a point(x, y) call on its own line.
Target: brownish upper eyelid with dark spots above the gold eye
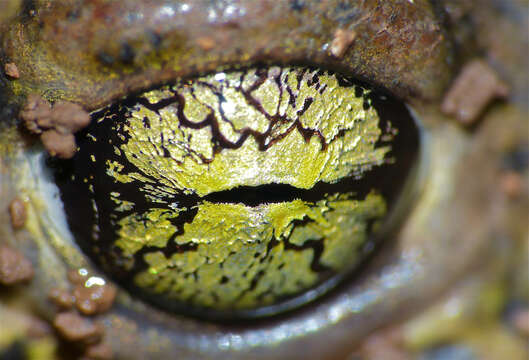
point(94, 54)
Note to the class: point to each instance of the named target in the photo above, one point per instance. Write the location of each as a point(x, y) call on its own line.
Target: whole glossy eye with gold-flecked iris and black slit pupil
point(246, 192)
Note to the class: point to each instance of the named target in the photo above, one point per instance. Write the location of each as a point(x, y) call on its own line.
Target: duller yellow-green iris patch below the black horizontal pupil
point(232, 250)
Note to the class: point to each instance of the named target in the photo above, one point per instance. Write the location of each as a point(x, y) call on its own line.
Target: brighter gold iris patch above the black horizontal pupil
point(347, 130)
